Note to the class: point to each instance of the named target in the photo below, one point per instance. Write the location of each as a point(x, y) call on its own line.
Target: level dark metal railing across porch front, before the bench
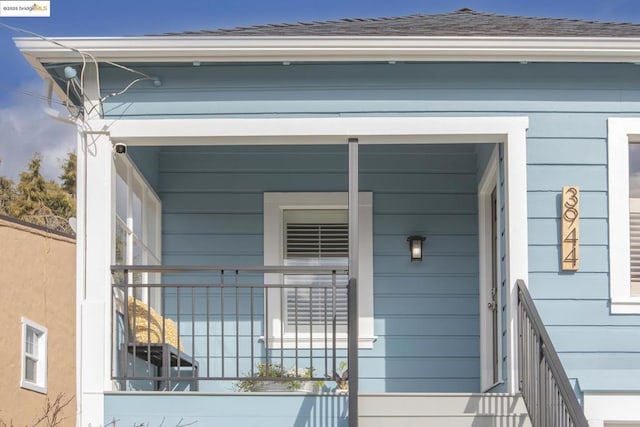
point(175, 328)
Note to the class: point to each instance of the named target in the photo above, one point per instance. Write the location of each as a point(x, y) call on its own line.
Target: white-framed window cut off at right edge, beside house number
point(624, 214)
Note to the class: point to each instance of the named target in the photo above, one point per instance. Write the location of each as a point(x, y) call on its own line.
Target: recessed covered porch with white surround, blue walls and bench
point(424, 322)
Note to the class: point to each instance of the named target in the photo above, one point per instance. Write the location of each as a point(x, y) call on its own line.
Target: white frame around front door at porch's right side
point(489, 181)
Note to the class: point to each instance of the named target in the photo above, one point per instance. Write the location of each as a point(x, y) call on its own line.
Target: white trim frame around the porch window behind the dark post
point(274, 206)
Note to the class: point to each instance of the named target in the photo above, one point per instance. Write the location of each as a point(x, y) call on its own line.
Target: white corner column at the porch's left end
point(94, 242)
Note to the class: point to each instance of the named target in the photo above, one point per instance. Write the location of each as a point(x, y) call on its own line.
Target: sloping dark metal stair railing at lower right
point(544, 384)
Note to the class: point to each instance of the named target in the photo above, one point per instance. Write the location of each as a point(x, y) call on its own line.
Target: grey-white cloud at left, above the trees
point(25, 129)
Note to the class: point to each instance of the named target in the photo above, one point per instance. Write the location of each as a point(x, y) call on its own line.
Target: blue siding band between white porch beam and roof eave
point(319, 89)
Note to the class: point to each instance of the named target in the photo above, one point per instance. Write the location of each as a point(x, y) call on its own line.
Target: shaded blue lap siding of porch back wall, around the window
point(426, 318)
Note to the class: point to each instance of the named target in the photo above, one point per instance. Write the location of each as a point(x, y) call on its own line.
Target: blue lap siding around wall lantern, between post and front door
point(426, 317)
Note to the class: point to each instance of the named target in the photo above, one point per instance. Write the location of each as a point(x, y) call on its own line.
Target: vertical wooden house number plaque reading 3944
point(570, 228)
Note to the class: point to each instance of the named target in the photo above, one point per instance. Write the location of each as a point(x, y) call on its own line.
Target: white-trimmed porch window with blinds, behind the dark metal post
point(312, 229)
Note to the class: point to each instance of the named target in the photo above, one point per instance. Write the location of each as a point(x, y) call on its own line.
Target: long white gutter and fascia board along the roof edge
point(345, 49)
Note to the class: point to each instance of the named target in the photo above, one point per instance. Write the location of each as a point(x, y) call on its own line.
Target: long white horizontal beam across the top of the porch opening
point(305, 131)
